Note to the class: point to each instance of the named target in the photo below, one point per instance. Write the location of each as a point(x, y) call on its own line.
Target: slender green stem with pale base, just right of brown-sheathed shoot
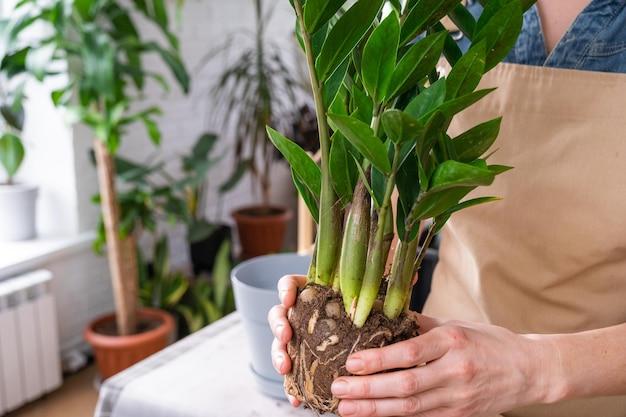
point(378, 255)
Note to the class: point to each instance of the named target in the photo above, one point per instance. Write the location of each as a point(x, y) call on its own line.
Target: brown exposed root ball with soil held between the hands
point(334, 337)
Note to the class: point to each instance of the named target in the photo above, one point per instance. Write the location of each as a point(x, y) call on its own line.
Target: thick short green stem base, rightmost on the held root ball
point(401, 278)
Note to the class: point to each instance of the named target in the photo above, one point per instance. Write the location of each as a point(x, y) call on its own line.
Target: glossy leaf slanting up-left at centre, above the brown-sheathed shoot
point(364, 140)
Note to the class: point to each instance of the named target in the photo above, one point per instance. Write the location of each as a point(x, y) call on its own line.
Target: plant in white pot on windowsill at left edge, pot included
point(17, 201)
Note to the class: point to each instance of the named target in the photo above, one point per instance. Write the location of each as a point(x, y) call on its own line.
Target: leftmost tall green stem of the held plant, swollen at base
point(330, 225)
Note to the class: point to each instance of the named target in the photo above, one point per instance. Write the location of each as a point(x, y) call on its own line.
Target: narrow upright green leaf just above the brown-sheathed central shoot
point(343, 173)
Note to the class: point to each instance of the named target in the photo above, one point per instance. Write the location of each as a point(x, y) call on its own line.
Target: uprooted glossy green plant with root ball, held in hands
point(383, 112)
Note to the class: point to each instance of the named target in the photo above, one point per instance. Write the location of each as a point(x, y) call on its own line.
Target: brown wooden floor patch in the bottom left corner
point(76, 398)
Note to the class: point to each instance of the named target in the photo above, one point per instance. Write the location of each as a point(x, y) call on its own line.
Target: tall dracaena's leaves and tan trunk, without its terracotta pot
point(98, 46)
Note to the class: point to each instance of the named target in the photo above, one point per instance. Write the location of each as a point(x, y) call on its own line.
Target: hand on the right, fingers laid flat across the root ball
point(454, 369)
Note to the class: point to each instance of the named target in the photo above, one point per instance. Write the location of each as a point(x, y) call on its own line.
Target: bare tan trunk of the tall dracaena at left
point(121, 251)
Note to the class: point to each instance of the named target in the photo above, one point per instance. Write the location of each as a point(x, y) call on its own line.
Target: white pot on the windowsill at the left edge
point(17, 212)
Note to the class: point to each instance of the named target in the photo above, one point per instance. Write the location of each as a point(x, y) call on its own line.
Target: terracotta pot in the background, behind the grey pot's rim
point(261, 229)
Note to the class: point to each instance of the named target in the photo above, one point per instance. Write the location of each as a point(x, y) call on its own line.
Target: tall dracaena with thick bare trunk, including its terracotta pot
point(99, 44)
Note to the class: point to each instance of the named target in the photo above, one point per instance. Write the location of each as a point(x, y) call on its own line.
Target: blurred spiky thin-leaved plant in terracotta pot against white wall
point(255, 91)
